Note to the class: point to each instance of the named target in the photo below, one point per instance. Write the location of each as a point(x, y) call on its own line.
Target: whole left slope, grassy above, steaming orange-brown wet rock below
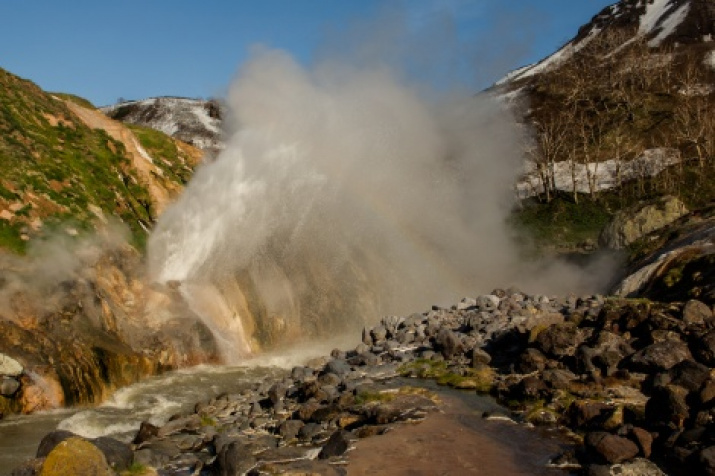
point(76, 318)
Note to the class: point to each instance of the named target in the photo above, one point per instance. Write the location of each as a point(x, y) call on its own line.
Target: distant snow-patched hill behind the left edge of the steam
point(193, 121)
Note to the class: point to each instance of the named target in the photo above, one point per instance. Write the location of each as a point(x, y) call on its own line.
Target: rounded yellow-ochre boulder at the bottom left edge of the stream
point(75, 456)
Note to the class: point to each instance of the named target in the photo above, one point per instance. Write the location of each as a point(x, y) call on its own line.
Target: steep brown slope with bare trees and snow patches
point(624, 112)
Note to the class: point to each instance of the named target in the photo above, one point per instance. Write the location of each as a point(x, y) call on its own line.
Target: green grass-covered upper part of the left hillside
point(57, 174)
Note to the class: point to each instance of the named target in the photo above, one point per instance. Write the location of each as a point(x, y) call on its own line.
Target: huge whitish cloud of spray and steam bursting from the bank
point(344, 194)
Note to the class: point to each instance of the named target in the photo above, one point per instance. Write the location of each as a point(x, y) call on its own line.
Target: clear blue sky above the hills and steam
point(103, 50)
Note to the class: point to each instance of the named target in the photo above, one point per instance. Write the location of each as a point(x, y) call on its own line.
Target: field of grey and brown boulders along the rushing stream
point(632, 379)
